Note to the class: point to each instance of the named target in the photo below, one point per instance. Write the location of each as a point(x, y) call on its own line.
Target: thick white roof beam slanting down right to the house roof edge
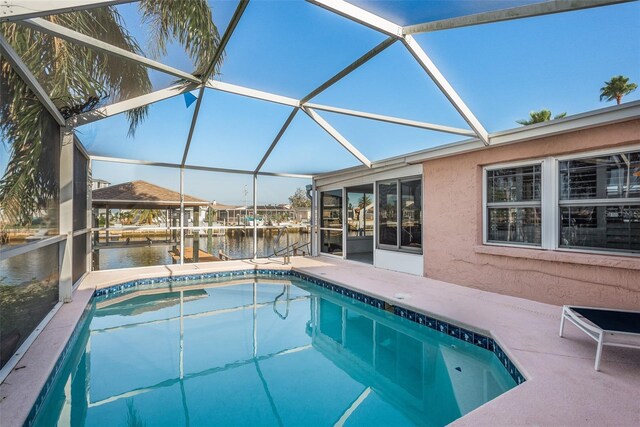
point(430, 68)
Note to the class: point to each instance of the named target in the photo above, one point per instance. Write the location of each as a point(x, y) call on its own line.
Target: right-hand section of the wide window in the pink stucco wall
point(599, 202)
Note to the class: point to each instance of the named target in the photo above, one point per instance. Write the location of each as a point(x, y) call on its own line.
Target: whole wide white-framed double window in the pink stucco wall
point(591, 203)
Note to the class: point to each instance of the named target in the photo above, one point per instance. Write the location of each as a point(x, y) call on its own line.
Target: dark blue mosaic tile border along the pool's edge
point(455, 331)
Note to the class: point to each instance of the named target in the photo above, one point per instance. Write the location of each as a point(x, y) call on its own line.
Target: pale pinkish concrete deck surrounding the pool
point(562, 388)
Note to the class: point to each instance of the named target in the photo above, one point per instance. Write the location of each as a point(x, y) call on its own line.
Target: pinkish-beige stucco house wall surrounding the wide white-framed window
point(453, 248)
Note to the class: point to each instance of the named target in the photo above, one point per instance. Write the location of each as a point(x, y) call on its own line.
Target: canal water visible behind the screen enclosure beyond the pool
point(237, 246)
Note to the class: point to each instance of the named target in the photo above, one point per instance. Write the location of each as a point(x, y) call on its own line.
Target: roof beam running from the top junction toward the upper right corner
point(528, 11)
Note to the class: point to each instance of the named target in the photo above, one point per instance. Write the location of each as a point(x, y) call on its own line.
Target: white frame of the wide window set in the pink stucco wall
point(551, 203)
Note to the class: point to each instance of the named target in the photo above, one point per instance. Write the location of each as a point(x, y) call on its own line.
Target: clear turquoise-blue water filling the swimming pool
point(262, 352)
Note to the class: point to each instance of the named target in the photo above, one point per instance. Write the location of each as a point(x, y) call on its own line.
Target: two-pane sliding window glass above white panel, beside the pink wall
point(400, 214)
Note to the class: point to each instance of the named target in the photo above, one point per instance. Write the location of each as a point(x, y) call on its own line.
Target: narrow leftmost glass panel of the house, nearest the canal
point(331, 222)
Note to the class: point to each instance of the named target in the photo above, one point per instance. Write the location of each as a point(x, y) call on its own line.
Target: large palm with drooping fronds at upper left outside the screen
point(78, 79)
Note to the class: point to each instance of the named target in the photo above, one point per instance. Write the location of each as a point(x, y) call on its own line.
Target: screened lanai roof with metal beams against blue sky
point(302, 88)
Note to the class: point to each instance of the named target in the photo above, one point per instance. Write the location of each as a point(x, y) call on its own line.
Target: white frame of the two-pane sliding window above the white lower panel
point(398, 246)
